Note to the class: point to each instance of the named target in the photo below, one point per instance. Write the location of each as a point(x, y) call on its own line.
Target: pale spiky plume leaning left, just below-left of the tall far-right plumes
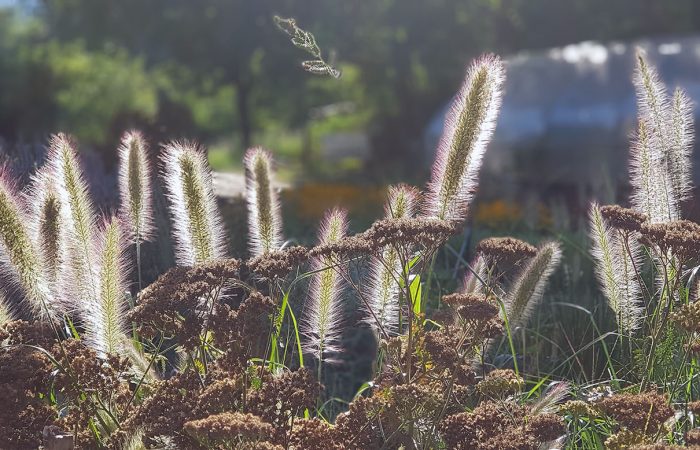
point(615, 271)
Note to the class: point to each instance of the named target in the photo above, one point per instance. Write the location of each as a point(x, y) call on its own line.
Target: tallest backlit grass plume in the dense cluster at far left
point(80, 283)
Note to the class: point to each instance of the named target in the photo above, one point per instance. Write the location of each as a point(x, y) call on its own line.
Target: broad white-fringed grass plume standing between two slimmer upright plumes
point(197, 227)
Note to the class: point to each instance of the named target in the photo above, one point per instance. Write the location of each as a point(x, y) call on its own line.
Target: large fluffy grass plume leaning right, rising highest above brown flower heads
point(469, 125)
